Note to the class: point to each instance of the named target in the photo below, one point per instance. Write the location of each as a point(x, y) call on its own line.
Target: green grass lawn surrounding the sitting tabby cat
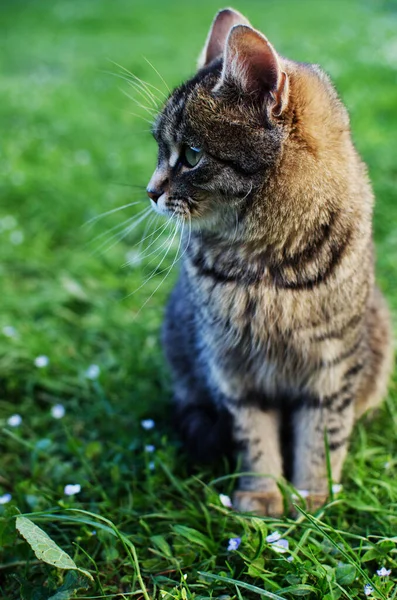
point(70, 150)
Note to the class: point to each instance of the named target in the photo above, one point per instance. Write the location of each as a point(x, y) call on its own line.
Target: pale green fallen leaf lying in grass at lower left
point(45, 548)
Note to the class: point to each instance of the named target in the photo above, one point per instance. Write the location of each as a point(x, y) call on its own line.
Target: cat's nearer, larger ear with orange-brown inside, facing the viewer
point(251, 62)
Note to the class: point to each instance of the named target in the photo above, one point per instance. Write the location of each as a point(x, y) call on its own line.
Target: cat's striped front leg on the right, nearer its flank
point(314, 420)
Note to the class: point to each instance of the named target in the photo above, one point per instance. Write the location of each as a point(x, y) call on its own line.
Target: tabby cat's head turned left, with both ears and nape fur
point(223, 135)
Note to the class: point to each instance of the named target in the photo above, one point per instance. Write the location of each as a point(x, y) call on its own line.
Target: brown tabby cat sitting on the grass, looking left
point(276, 334)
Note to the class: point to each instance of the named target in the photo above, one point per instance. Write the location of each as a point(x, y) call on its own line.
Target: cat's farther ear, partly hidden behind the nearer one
point(220, 28)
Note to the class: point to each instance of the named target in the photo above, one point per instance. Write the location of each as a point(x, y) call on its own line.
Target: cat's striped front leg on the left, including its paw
point(257, 433)
